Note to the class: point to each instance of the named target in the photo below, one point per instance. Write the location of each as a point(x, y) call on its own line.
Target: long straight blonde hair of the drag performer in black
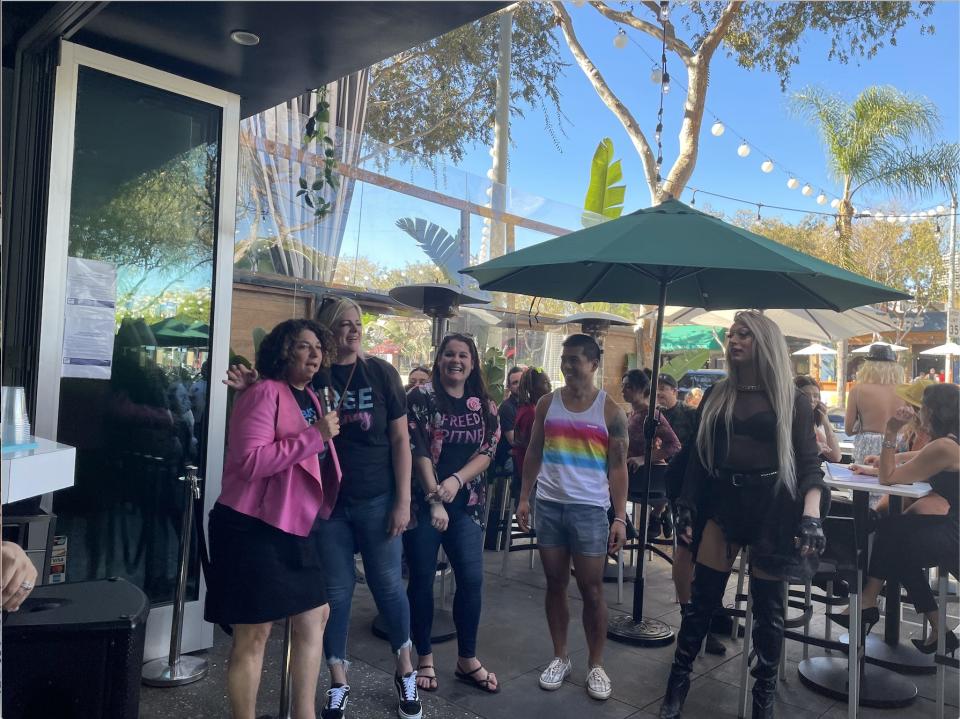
point(772, 361)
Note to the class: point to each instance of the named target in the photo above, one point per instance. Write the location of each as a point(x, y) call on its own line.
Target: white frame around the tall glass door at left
point(197, 634)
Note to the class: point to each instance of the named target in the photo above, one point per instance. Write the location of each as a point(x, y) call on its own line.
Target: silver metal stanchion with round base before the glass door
point(177, 670)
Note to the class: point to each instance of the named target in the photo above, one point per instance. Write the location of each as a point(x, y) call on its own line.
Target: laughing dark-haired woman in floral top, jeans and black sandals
point(453, 435)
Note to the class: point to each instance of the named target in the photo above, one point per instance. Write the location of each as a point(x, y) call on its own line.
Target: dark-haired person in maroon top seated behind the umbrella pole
point(635, 388)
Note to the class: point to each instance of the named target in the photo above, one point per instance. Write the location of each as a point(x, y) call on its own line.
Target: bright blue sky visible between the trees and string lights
point(751, 102)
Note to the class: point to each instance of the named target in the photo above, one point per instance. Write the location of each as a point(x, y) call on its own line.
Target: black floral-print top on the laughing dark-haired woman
point(429, 430)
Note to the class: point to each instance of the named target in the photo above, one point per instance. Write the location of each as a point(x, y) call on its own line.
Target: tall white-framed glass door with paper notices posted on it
point(141, 226)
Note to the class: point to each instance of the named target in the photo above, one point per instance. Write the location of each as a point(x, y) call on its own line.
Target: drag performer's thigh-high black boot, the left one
point(706, 596)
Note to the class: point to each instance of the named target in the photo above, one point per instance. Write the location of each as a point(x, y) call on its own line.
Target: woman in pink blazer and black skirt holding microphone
point(281, 477)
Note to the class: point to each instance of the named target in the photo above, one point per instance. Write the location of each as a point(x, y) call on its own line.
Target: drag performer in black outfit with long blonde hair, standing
point(753, 480)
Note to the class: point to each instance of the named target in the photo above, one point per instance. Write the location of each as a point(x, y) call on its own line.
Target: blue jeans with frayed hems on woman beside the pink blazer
point(362, 525)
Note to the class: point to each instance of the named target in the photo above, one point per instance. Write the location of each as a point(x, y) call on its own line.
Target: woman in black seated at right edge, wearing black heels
point(906, 544)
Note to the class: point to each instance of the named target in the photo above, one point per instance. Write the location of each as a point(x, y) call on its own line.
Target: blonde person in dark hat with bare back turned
point(873, 400)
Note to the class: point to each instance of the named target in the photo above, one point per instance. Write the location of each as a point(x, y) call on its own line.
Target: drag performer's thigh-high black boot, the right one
point(768, 610)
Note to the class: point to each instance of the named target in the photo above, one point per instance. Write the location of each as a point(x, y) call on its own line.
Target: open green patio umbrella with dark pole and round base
point(699, 261)
